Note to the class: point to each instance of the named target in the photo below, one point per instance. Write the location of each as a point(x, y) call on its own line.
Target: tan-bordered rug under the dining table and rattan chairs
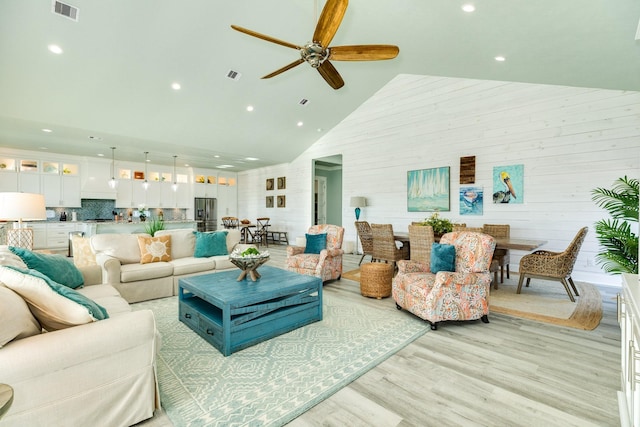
point(543, 301)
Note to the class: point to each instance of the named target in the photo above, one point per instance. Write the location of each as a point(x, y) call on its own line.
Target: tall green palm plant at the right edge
point(616, 235)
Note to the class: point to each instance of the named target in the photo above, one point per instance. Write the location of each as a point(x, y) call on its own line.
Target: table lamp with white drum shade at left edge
point(21, 207)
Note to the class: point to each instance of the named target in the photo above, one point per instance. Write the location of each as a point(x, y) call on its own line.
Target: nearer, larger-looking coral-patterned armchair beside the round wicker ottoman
point(449, 295)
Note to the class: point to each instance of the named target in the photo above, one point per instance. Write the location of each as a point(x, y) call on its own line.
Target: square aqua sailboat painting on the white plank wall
point(428, 190)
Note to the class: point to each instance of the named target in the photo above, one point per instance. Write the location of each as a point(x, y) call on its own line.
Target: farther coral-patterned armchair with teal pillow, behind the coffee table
point(327, 262)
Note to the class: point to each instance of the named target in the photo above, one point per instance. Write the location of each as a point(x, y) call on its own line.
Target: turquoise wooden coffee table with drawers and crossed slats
point(233, 315)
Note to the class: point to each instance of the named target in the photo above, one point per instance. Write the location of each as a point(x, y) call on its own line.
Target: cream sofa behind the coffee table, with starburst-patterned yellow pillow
point(119, 256)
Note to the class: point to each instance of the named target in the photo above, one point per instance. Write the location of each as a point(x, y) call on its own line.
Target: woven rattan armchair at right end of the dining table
point(553, 265)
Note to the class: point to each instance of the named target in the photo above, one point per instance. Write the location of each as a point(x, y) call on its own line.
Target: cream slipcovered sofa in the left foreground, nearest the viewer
point(101, 373)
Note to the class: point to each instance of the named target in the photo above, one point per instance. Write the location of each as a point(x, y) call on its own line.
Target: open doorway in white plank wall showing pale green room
point(327, 190)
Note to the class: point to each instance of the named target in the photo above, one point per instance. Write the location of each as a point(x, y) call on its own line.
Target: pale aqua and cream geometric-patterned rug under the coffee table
point(273, 382)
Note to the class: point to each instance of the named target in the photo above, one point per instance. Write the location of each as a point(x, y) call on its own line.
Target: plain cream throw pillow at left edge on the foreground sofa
point(16, 319)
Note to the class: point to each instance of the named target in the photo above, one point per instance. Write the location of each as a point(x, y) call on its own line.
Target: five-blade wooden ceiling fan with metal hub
point(318, 53)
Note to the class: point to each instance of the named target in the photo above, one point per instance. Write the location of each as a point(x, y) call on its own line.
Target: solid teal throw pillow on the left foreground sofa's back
point(56, 267)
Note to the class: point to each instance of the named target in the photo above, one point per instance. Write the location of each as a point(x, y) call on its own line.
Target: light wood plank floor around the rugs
point(510, 372)
